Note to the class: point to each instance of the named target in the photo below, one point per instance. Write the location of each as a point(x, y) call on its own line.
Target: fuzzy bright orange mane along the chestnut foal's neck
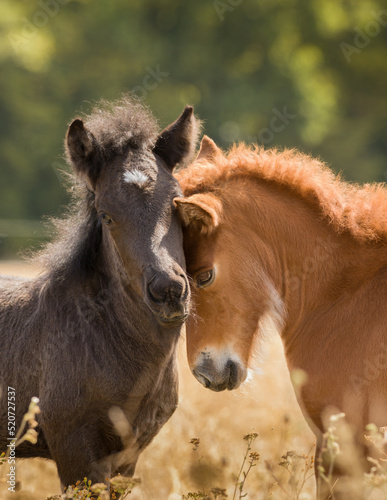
point(360, 210)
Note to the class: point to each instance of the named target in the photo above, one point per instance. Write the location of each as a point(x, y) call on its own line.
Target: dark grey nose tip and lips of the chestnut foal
point(219, 376)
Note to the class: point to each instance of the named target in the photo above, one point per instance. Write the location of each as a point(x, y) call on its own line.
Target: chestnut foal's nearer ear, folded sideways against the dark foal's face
point(200, 210)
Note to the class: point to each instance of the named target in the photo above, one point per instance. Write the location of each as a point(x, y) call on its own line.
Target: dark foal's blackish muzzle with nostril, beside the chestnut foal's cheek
point(168, 297)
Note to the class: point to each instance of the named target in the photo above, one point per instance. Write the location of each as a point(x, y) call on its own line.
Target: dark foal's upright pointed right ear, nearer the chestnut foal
point(177, 143)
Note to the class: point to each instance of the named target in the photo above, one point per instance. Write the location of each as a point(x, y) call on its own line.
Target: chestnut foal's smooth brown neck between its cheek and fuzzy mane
point(314, 265)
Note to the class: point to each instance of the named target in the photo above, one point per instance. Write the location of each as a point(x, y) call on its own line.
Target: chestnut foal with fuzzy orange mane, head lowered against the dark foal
point(274, 241)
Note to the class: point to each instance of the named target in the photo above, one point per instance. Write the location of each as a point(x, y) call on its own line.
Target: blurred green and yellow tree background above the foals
point(310, 74)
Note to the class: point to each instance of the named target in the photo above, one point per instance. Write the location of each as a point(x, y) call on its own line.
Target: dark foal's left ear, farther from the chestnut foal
point(80, 145)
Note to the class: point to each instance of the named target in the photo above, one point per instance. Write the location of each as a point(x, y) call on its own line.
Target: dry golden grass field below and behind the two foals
point(170, 468)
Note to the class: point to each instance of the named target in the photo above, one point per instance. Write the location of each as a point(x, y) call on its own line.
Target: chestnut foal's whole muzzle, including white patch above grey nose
point(219, 370)
